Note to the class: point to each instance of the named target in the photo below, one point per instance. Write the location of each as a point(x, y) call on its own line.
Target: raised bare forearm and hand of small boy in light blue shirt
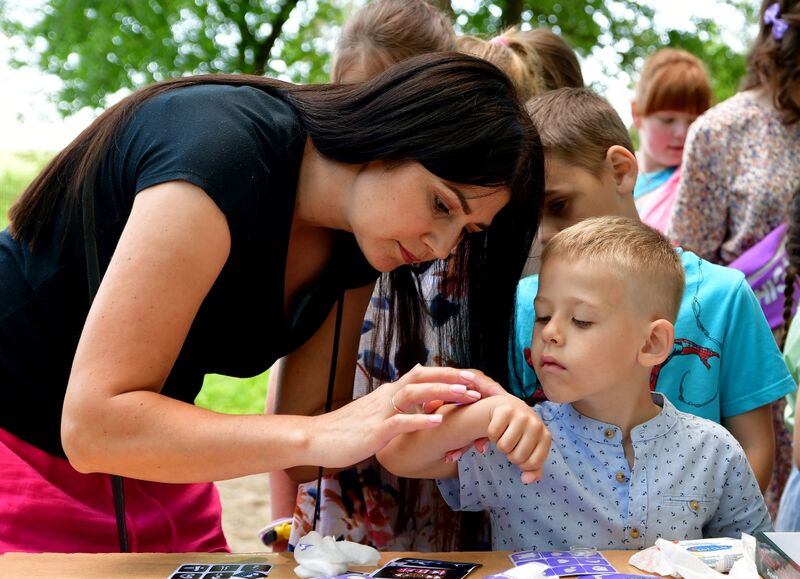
point(506, 420)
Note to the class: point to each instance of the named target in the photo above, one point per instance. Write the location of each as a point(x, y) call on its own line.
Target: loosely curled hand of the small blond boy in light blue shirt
point(519, 433)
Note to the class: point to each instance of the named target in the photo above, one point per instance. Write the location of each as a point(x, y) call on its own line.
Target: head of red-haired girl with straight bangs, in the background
point(673, 90)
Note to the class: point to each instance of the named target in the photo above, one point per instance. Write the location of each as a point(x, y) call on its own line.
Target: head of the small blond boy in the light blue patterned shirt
point(609, 292)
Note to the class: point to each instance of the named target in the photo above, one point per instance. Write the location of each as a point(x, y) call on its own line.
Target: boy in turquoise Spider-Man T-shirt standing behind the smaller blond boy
point(724, 364)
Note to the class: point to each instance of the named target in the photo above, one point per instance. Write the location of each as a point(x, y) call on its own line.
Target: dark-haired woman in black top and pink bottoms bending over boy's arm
point(228, 215)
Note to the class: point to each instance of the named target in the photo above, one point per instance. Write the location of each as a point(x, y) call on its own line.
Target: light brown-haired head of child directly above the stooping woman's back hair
point(384, 32)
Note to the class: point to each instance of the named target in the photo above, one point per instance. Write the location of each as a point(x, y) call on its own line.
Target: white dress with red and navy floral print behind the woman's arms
point(362, 504)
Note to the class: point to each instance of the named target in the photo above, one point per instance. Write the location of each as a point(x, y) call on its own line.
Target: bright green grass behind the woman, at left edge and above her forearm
point(220, 393)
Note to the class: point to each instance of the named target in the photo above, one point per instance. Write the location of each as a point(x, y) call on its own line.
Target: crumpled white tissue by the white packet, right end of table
point(666, 558)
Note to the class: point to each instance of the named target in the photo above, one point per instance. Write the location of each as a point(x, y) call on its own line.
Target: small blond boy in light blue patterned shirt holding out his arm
point(624, 467)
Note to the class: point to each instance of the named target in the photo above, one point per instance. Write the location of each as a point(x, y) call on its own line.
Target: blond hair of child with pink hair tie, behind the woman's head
point(512, 57)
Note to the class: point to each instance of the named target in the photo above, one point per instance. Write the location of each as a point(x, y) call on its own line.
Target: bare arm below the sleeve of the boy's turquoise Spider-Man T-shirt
point(754, 432)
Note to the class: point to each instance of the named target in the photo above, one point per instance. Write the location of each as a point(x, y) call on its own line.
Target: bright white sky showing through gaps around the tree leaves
point(28, 120)
